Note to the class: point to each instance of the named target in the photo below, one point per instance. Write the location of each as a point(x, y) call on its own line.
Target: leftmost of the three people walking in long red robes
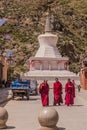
point(44, 91)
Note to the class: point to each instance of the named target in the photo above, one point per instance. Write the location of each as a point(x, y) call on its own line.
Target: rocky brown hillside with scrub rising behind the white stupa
point(26, 19)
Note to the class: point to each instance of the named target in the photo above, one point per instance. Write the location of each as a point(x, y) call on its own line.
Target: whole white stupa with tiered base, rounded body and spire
point(48, 63)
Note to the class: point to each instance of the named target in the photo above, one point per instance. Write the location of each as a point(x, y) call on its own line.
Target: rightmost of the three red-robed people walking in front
point(70, 93)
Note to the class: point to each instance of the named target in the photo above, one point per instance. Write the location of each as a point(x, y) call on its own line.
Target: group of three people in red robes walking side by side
point(57, 92)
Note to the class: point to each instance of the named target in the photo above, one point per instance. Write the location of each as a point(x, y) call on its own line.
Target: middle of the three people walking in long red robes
point(57, 91)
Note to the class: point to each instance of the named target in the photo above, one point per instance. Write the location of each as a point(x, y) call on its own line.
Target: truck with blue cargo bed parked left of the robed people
point(24, 88)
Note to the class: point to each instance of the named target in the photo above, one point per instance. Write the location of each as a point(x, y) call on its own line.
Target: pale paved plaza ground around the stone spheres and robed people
point(23, 114)
